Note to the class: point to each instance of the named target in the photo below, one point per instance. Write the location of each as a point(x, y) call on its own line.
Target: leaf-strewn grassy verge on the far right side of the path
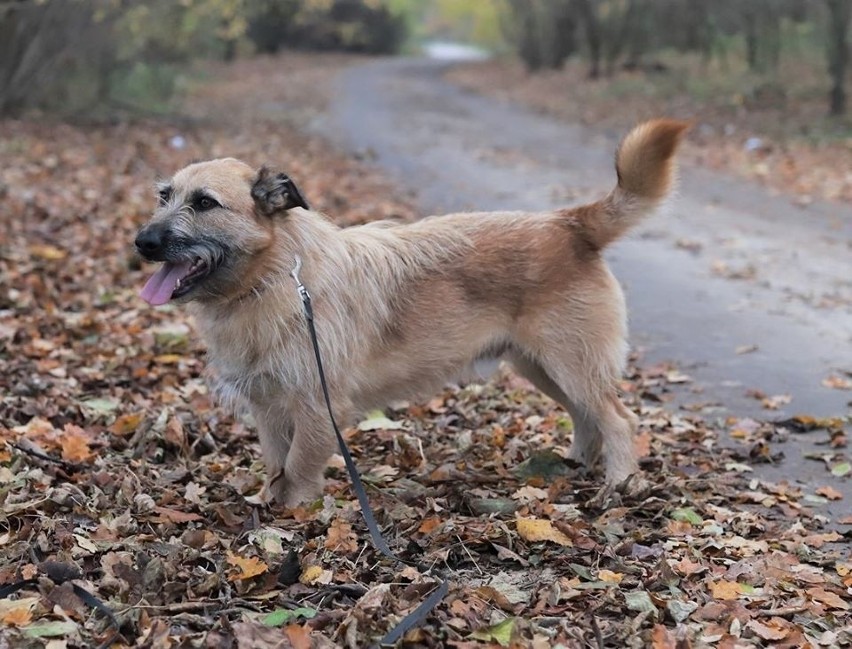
point(775, 132)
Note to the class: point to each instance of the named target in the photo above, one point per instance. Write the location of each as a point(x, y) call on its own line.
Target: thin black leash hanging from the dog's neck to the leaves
point(417, 615)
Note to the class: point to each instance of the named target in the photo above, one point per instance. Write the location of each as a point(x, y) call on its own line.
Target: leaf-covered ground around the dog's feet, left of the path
point(121, 479)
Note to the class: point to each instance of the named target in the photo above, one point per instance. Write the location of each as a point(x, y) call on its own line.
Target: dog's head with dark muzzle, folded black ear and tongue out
point(213, 220)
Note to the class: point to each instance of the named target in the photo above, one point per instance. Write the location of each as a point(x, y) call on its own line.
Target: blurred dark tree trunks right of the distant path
point(632, 35)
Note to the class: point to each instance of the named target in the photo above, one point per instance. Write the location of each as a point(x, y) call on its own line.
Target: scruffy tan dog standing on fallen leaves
point(401, 309)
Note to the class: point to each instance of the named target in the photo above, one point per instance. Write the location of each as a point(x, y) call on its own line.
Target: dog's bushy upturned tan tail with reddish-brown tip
point(645, 167)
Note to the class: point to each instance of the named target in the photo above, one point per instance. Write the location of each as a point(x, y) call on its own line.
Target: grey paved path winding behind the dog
point(460, 151)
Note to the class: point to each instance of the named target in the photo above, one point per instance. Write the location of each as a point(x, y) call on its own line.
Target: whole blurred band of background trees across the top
point(78, 53)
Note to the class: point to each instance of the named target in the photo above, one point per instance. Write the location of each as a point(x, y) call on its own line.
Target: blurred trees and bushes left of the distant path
point(78, 53)
